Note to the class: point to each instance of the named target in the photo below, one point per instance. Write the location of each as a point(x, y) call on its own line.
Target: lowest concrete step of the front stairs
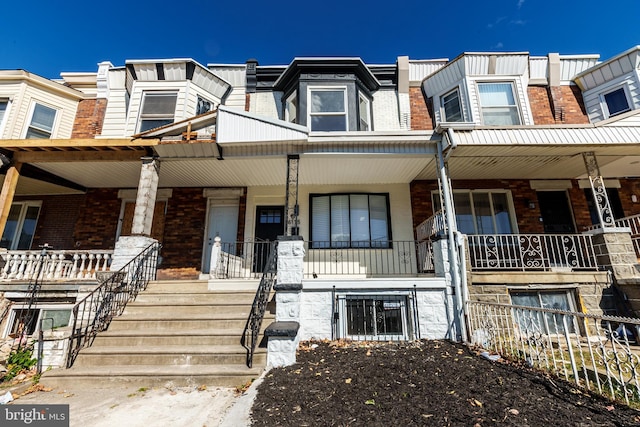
point(153, 376)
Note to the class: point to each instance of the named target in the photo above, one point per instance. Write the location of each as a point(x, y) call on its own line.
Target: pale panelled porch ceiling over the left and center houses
point(320, 169)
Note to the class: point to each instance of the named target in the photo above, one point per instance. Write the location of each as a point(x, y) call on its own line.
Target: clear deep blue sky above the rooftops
point(47, 38)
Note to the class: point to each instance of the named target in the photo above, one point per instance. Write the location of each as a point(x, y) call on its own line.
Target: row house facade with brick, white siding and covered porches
point(404, 189)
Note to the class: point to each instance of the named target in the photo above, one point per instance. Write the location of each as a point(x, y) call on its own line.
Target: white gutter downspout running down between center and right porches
point(452, 235)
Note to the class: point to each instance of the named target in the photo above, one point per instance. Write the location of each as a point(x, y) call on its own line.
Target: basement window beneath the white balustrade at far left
point(24, 321)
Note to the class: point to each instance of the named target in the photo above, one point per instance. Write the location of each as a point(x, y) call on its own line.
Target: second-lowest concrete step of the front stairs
point(173, 355)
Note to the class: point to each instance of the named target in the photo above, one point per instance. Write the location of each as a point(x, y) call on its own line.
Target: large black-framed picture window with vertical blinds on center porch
point(350, 220)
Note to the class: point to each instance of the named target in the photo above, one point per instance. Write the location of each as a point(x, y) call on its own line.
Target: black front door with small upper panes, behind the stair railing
point(269, 225)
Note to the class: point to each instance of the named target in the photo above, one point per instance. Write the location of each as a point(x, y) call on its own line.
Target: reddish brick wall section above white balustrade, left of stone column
point(98, 219)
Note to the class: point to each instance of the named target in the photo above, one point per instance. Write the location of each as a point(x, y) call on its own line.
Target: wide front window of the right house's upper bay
point(498, 104)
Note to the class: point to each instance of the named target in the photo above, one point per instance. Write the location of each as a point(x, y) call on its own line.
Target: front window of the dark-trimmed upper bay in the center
point(327, 109)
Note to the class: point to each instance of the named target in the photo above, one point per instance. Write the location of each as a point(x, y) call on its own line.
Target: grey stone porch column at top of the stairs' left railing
point(146, 197)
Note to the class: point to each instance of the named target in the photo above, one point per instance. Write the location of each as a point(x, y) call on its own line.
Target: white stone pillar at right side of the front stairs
point(283, 333)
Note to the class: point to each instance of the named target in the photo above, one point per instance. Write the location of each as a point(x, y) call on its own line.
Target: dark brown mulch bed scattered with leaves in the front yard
point(422, 383)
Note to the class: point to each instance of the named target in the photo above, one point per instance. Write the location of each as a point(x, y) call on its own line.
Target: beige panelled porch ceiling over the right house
point(539, 161)
